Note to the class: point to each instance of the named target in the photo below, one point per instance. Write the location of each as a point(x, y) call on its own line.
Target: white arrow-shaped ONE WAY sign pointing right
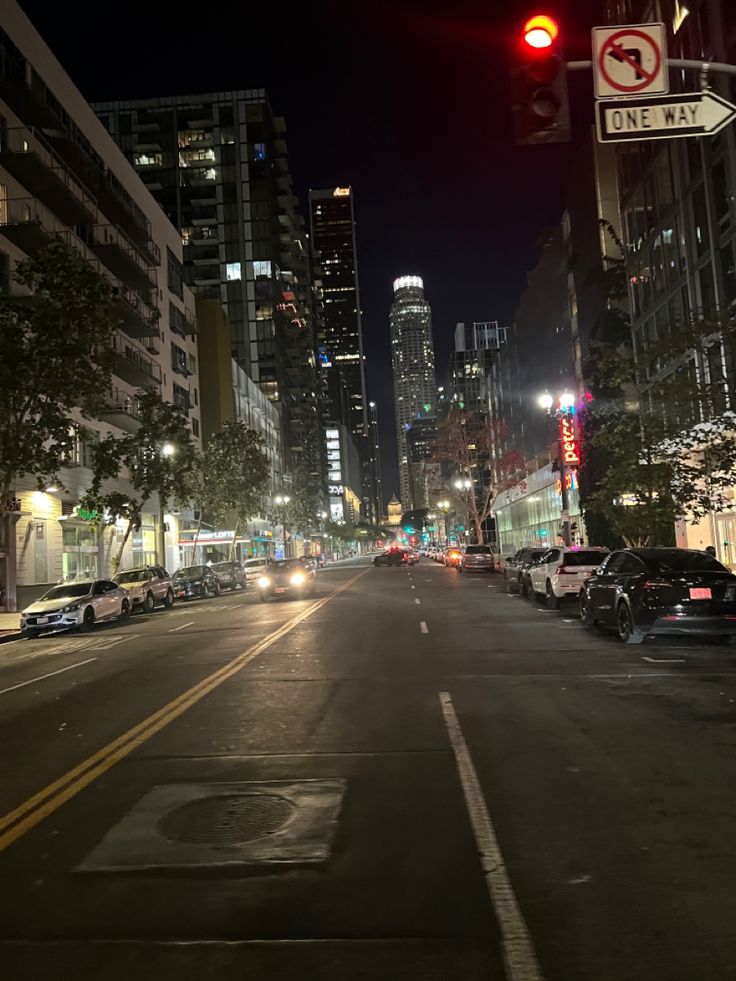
point(664, 117)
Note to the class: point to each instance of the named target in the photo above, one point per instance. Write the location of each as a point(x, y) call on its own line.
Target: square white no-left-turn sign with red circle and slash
point(630, 60)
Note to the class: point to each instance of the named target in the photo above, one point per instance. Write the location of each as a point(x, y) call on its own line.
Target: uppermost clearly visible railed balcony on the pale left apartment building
point(26, 155)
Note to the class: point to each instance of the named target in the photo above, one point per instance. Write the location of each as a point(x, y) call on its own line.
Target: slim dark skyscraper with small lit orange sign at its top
point(332, 231)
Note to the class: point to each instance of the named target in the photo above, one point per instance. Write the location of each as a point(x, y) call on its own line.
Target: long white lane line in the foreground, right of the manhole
point(519, 956)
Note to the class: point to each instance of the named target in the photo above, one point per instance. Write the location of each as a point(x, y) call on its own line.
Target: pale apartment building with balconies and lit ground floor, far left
point(62, 176)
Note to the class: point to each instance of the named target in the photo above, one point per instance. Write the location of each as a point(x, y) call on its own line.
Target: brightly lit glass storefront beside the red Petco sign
point(530, 512)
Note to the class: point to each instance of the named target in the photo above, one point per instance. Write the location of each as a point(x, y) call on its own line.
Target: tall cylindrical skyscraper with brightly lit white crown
point(412, 355)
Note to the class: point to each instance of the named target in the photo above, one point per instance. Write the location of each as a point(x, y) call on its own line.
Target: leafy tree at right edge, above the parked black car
point(662, 421)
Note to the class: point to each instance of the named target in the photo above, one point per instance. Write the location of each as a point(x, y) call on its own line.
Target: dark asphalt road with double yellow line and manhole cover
point(410, 775)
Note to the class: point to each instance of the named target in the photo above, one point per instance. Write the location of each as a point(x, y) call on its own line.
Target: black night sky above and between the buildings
point(407, 101)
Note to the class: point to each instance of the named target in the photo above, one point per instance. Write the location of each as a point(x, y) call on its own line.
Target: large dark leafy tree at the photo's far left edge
point(54, 359)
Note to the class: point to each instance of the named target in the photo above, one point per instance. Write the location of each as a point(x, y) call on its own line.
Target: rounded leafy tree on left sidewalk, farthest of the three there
point(231, 476)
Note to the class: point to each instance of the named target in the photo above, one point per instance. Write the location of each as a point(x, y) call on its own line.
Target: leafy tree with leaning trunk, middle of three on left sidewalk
point(149, 468)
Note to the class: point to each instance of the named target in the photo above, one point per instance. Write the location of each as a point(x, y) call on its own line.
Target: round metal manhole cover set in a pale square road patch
point(225, 820)
